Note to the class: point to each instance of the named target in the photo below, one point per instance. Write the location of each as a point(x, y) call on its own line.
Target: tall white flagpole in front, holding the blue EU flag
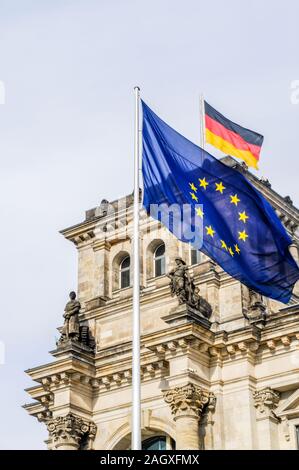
point(136, 392)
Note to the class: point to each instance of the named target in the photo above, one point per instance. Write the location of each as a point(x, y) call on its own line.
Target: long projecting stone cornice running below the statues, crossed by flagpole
point(178, 339)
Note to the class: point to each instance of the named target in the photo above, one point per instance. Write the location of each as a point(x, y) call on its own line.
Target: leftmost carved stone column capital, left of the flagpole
point(67, 432)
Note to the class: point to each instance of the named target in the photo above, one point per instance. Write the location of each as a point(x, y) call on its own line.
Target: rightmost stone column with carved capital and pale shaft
point(265, 402)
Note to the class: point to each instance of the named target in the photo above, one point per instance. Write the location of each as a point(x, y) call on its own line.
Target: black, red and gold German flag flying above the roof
point(231, 138)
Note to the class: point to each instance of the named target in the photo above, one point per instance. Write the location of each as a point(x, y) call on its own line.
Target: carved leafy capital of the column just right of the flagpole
point(188, 400)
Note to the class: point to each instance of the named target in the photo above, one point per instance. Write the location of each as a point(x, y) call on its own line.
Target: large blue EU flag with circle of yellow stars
point(231, 222)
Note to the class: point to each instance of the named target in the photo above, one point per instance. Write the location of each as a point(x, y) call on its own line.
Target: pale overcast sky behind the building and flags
point(66, 134)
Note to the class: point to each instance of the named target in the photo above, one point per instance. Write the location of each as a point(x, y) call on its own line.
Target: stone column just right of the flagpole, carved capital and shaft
point(187, 403)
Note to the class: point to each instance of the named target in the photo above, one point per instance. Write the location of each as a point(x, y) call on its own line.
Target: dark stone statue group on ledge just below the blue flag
point(184, 288)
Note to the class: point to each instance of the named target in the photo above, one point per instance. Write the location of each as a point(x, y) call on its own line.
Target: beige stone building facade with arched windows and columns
point(230, 381)
